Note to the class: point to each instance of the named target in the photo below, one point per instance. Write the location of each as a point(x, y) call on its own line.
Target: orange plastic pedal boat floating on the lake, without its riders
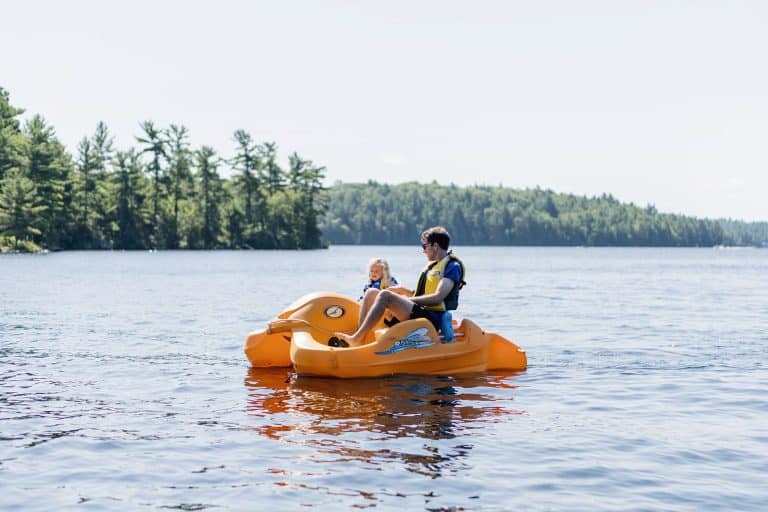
point(302, 336)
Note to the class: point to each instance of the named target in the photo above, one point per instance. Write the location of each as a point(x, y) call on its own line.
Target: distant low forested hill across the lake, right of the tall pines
point(375, 213)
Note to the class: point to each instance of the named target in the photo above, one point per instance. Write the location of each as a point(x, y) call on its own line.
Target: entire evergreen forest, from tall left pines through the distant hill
point(162, 193)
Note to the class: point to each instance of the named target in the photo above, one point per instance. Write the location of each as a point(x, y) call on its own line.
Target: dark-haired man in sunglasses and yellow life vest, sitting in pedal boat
point(437, 290)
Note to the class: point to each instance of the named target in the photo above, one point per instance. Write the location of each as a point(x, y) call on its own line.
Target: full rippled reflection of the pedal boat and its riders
point(380, 419)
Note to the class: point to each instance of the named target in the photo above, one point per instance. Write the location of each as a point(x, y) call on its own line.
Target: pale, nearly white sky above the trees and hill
point(655, 102)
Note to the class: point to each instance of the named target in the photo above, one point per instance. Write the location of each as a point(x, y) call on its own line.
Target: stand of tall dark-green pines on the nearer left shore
point(159, 194)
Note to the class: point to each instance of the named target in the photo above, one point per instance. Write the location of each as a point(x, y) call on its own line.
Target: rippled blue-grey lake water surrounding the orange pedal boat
point(123, 386)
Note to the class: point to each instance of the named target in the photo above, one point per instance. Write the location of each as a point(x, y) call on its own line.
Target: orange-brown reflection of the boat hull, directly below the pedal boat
point(433, 407)
